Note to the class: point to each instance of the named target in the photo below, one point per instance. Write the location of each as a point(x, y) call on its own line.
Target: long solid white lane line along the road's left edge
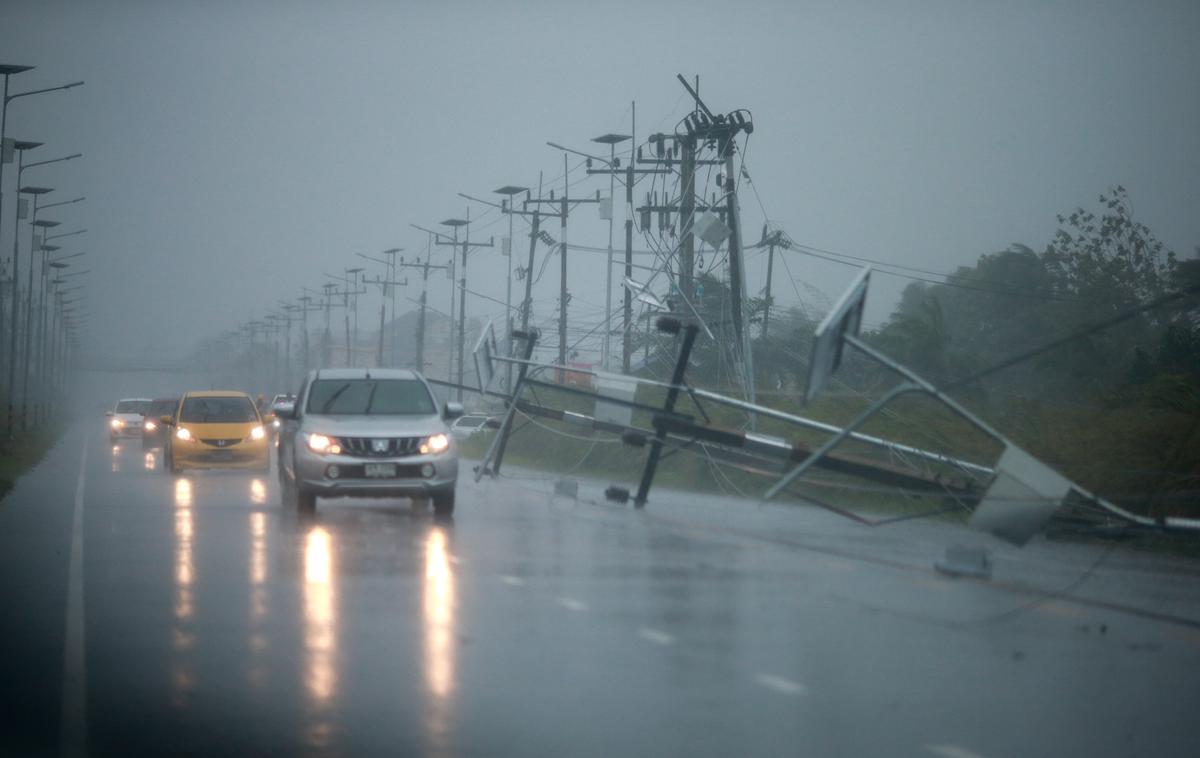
point(74, 725)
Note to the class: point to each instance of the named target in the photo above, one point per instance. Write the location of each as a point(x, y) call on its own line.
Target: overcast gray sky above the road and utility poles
point(237, 151)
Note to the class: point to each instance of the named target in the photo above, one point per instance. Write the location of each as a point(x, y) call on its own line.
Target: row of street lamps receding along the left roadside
point(34, 362)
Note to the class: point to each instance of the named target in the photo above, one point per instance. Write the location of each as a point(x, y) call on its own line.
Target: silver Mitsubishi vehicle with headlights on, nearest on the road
point(368, 434)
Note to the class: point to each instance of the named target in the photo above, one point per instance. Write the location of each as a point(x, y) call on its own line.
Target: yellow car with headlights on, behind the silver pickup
point(217, 430)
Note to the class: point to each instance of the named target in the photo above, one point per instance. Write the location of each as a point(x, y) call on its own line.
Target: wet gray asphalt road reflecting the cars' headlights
point(193, 616)
